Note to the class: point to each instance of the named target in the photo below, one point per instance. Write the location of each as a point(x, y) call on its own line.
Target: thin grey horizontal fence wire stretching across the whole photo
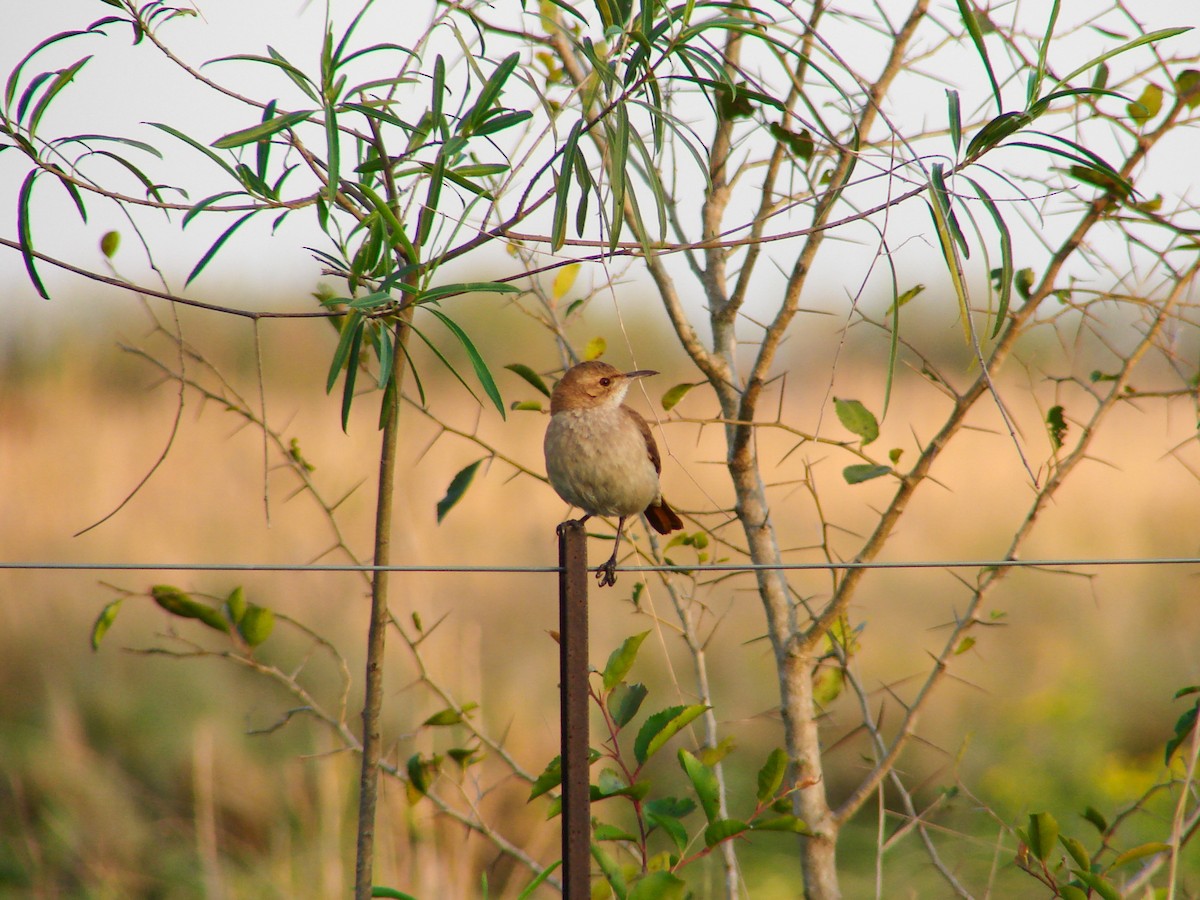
point(1063, 563)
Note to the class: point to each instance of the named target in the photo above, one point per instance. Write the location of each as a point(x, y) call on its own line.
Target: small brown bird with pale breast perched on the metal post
point(601, 455)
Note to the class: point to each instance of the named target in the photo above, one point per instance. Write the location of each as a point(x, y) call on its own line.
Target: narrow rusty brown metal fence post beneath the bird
point(573, 687)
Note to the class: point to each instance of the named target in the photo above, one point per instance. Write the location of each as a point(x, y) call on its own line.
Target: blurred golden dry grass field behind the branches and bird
point(134, 775)
